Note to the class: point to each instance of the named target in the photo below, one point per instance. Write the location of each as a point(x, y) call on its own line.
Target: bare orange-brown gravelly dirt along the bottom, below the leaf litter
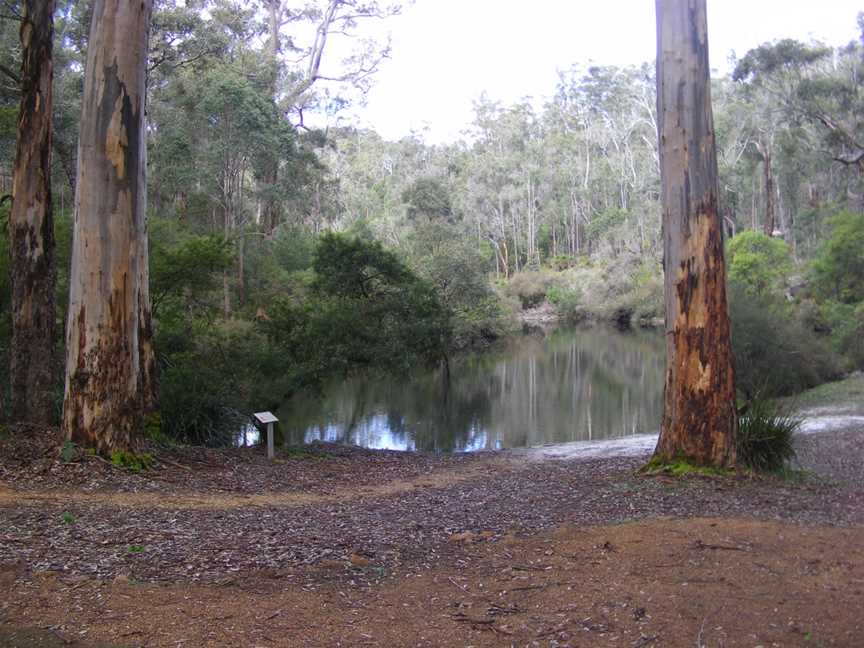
point(702, 582)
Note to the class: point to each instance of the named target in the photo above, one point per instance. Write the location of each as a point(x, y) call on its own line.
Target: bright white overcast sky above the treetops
point(447, 52)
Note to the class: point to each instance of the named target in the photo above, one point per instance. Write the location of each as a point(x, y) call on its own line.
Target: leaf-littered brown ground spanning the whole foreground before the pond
point(349, 547)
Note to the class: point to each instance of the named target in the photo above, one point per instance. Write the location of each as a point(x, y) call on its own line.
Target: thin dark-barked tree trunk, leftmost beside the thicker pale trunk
point(31, 225)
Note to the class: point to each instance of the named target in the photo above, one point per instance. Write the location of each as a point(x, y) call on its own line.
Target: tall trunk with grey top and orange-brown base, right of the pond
point(699, 417)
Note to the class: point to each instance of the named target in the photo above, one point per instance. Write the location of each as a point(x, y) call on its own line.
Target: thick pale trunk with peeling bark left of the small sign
point(109, 360)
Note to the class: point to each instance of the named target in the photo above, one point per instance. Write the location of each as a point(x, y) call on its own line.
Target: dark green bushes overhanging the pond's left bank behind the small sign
point(361, 308)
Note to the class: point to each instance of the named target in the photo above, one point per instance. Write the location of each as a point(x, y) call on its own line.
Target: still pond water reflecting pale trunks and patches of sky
point(568, 385)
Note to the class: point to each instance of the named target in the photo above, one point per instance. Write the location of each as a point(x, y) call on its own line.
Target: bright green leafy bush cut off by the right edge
point(838, 269)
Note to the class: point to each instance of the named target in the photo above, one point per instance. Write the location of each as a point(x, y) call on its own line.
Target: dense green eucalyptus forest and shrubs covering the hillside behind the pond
point(283, 254)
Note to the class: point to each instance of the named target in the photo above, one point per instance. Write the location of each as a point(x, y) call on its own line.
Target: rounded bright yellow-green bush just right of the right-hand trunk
point(759, 263)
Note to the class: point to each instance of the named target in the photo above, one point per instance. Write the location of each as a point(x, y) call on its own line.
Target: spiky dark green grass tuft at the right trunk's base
point(765, 441)
